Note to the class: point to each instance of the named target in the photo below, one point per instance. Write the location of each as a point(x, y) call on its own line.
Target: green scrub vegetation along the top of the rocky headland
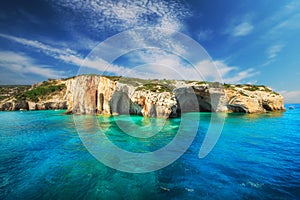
point(51, 87)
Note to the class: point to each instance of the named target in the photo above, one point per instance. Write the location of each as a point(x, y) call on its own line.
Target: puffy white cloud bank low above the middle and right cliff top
point(170, 66)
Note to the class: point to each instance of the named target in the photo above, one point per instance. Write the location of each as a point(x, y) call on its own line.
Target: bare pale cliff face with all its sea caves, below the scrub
point(102, 95)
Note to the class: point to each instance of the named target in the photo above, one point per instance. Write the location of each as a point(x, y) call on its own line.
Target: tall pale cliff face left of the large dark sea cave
point(101, 95)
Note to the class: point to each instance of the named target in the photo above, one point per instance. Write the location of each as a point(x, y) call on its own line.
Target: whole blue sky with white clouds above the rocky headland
point(244, 41)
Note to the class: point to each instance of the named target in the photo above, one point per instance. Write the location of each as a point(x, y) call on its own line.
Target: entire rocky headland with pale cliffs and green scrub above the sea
point(92, 94)
